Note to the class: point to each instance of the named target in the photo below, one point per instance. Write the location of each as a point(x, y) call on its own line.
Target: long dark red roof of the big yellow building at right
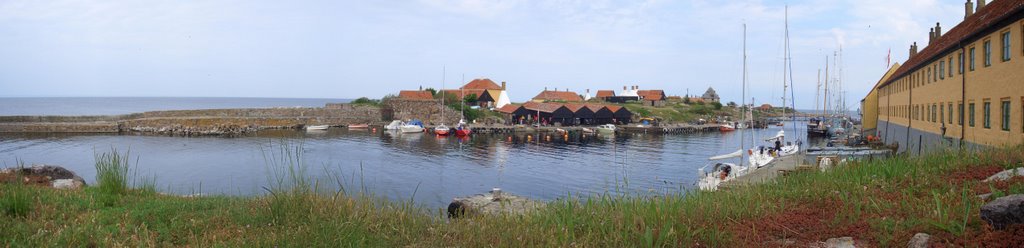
point(990, 16)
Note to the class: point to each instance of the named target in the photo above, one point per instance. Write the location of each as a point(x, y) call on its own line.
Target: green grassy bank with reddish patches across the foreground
point(881, 203)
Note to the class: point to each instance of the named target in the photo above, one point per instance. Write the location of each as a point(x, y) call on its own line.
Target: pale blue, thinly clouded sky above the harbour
point(349, 50)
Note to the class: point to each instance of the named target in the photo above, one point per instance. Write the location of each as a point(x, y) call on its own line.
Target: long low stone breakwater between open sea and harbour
point(198, 122)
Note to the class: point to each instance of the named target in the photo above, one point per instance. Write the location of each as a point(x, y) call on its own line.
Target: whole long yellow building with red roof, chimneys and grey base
point(965, 90)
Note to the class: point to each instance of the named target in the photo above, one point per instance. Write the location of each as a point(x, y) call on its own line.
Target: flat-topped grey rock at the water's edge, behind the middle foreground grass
point(491, 203)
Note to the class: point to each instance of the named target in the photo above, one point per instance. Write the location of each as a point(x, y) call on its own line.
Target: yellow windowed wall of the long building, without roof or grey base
point(1001, 81)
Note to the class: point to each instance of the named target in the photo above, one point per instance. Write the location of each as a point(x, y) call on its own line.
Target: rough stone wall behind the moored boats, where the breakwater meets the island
point(428, 111)
